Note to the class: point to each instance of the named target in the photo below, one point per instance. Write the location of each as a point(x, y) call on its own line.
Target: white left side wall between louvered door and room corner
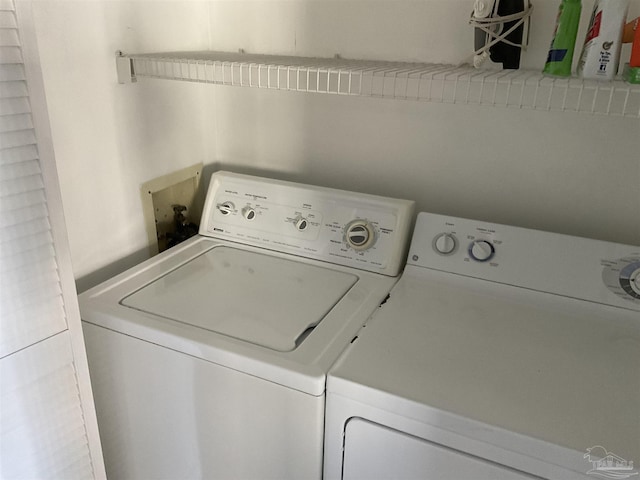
point(111, 138)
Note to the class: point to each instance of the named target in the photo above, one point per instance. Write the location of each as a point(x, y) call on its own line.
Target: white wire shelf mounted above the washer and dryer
point(525, 89)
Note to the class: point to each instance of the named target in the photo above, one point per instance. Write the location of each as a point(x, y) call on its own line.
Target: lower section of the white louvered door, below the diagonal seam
point(43, 433)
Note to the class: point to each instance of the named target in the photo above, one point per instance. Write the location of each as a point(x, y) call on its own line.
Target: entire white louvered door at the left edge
point(48, 427)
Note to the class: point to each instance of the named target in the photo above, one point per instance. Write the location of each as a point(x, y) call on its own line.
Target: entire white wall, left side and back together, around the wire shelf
point(570, 173)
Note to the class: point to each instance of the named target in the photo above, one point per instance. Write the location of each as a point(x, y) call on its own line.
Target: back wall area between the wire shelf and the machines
point(533, 169)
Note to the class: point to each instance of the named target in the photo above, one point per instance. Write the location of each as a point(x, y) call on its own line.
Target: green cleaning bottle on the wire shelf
point(564, 39)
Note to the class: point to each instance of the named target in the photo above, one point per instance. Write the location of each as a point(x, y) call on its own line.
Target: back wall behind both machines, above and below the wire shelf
point(570, 173)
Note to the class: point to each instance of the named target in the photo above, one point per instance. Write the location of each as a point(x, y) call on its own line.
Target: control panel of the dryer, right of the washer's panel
point(593, 270)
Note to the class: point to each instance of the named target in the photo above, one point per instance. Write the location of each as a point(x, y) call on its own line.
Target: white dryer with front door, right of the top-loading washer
point(502, 353)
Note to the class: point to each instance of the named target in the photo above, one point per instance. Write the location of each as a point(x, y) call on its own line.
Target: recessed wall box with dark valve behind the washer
point(165, 198)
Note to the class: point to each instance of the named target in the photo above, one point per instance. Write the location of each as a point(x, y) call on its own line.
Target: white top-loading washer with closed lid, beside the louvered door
point(209, 360)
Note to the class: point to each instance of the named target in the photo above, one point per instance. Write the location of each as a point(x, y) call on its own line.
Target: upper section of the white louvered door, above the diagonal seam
point(31, 306)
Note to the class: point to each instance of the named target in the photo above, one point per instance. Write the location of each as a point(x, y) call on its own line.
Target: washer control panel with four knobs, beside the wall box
point(352, 229)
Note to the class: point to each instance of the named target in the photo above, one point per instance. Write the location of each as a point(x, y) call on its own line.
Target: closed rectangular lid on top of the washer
point(257, 298)
